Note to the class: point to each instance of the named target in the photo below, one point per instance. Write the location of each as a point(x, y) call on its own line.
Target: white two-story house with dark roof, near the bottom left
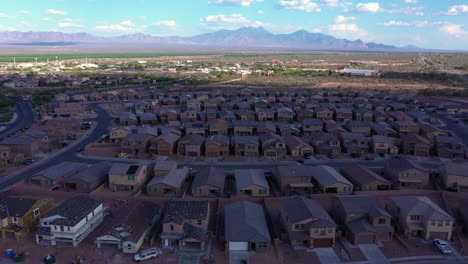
point(71, 222)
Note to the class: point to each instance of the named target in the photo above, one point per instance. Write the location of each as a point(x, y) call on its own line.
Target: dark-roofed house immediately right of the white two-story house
point(128, 226)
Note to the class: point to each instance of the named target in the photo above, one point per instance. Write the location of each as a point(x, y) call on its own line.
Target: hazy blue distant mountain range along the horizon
point(246, 37)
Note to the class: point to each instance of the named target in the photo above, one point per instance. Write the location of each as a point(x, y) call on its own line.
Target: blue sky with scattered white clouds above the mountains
point(438, 24)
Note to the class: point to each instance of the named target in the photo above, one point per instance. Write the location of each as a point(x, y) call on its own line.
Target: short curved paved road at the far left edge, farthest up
point(25, 116)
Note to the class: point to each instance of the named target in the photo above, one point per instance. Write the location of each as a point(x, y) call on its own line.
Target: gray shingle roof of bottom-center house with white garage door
point(245, 221)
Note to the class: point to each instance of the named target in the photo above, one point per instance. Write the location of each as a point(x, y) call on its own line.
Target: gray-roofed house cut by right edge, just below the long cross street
point(455, 176)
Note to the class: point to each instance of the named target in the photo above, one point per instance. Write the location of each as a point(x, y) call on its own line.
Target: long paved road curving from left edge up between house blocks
point(103, 121)
